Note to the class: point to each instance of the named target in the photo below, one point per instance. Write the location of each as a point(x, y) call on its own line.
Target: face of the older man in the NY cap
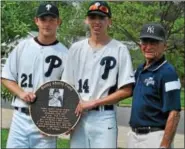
point(152, 49)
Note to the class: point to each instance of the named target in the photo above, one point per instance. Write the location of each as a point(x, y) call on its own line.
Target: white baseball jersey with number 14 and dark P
point(98, 73)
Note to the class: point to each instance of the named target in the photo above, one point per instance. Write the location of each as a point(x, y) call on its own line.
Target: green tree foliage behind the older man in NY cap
point(128, 18)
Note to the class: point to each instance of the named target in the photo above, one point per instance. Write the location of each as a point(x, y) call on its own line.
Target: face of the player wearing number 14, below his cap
point(98, 24)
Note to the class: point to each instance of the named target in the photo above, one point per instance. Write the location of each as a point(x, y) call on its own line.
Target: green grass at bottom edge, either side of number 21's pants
point(61, 143)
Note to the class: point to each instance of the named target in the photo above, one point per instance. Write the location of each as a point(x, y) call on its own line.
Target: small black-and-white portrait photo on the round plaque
point(55, 97)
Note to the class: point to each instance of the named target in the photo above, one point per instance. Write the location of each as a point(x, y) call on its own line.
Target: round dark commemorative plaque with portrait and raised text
point(53, 110)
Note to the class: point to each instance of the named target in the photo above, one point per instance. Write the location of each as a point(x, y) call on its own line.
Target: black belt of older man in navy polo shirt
point(145, 130)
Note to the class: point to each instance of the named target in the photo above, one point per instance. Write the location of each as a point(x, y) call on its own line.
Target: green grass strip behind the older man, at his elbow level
point(128, 101)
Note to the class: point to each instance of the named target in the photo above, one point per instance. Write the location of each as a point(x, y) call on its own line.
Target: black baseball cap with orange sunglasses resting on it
point(100, 8)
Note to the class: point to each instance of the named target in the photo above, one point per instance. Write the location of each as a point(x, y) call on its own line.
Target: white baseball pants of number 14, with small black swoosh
point(96, 129)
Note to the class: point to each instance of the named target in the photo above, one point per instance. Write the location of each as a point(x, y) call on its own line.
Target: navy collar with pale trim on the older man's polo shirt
point(156, 65)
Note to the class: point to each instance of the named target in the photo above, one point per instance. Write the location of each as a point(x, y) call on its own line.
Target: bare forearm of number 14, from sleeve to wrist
point(113, 98)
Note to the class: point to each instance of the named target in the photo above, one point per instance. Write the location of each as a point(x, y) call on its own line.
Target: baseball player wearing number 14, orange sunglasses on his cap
point(100, 69)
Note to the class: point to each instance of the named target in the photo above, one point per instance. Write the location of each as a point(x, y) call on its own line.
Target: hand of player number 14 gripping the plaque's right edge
point(85, 105)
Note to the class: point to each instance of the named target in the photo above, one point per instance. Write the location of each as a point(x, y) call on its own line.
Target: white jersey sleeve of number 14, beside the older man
point(126, 74)
